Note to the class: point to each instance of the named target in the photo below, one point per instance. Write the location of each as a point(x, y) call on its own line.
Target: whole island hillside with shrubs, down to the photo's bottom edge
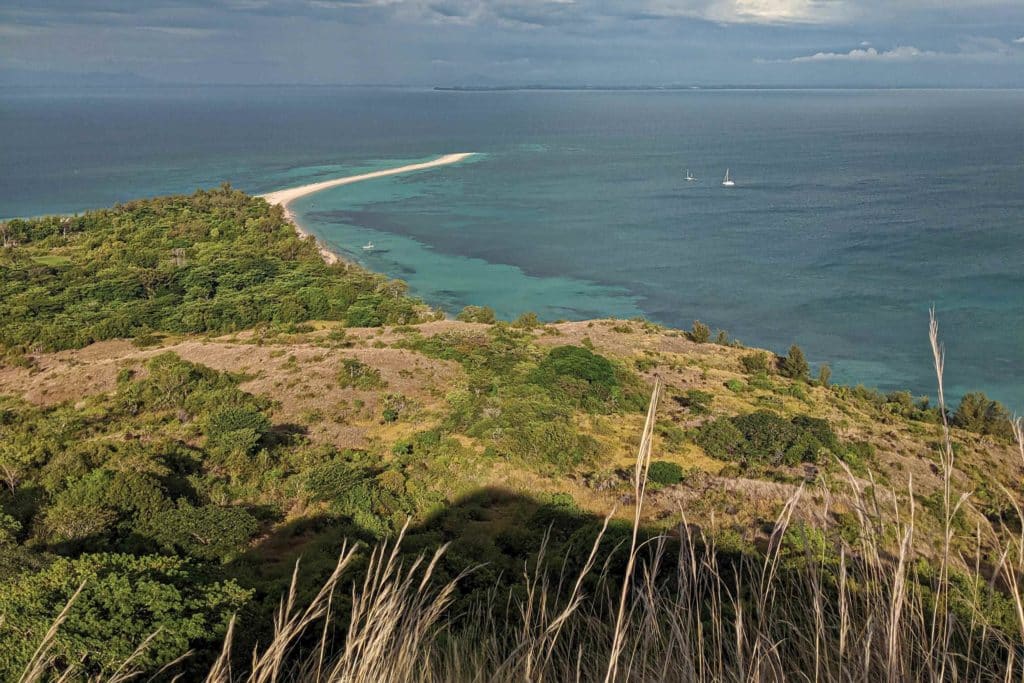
point(193, 402)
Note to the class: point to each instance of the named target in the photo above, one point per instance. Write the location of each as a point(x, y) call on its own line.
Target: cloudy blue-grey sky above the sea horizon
point(945, 44)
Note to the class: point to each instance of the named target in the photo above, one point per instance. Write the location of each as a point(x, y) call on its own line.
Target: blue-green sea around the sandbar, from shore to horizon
point(855, 211)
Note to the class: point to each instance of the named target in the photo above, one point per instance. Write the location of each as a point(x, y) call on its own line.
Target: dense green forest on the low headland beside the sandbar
point(215, 263)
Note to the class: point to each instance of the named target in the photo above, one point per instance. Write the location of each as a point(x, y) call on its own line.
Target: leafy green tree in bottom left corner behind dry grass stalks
point(124, 601)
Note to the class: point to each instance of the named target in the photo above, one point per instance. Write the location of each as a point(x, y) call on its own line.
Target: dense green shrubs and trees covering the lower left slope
point(163, 486)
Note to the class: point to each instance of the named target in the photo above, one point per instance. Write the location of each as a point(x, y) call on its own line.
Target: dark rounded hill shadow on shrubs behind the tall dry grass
point(493, 537)
